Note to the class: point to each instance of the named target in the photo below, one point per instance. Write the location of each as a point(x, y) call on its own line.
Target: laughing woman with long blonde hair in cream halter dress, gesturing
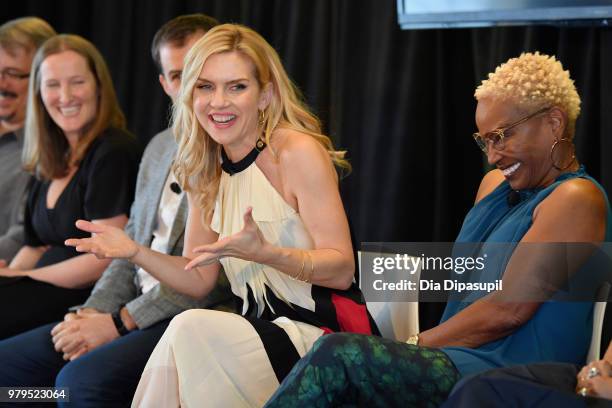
point(264, 204)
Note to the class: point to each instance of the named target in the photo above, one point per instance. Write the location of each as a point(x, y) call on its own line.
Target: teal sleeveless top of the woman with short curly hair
point(558, 331)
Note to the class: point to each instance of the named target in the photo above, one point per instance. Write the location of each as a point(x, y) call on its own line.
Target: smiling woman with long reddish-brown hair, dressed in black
point(85, 165)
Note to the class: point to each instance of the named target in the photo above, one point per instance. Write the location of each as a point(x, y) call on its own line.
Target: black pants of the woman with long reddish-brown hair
point(26, 303)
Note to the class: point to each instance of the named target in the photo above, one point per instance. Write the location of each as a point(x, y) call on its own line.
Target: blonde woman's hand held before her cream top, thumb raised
point(248, 244)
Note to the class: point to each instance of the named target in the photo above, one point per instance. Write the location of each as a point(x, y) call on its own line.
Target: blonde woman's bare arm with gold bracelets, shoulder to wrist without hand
point(313, 181)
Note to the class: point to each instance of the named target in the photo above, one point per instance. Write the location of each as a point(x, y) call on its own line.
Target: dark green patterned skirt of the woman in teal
point(355, 370)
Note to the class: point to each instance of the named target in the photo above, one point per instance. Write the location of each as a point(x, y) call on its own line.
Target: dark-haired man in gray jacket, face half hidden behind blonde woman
point(99, 352)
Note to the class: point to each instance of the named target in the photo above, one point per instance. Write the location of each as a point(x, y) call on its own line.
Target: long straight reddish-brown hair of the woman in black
point(46, 150)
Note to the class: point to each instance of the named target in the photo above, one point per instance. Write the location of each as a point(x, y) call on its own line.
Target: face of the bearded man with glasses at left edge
point(14, 84)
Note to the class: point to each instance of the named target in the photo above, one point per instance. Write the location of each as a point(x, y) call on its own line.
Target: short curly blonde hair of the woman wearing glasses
point(533, 81)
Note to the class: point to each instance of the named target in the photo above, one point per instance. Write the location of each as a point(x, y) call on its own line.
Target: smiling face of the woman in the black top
point(69, 92)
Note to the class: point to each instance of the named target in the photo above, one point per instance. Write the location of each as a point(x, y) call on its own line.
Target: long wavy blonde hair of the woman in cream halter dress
point(198, 161)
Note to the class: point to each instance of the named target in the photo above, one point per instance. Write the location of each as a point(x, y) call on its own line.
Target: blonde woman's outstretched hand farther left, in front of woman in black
point(106, 241)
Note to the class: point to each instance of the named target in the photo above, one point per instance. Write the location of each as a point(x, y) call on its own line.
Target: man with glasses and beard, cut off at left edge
point(19, 40)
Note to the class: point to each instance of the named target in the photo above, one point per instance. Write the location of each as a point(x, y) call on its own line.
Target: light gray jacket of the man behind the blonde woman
point(119, 284)
